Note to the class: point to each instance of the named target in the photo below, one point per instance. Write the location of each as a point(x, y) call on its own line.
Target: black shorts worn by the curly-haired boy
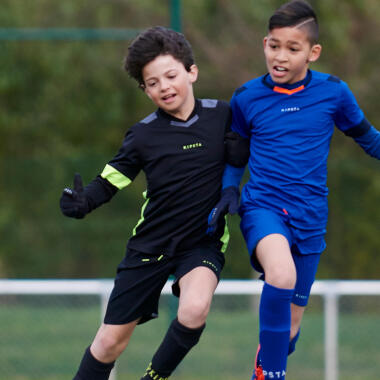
point(141, 277)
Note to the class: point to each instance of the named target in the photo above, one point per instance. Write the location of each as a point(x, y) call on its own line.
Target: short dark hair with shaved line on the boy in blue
point(295, 13)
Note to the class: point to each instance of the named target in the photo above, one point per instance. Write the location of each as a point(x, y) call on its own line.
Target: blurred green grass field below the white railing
point(43, 338)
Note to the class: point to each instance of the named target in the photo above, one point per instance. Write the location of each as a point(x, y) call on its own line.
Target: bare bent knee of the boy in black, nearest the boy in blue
point(193, 313)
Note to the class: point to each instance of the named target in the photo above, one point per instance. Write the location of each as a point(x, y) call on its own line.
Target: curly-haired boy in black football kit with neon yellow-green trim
point(180, 148)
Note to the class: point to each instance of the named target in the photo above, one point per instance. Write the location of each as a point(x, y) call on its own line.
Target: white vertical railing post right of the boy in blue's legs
point(331, 334)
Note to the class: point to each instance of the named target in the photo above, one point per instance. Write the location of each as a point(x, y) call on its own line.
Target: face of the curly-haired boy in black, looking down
point(170, 86)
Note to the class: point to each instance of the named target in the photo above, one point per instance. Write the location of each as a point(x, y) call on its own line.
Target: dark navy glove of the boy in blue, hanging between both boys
point(228, 203)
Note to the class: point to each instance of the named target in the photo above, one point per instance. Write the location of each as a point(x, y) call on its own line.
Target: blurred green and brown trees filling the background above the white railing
point(66, 105)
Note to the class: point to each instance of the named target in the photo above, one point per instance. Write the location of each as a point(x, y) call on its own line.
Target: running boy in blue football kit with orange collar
point(286, 120)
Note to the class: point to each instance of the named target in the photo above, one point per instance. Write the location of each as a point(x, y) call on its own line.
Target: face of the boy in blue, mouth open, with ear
point(288, 53)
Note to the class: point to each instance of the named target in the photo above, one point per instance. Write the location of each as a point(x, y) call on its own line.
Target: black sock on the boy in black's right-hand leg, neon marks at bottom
point(177, 343)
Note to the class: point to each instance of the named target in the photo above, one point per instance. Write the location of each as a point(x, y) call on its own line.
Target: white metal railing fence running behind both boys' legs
point(330, 291)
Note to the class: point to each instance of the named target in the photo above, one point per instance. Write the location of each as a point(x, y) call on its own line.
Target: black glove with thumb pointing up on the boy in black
point(74, 202)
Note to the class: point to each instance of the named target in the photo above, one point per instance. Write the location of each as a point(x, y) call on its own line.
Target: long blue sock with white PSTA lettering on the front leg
point(275, 330)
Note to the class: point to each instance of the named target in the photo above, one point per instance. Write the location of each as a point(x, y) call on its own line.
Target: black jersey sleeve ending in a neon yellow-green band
point(125, 166)
